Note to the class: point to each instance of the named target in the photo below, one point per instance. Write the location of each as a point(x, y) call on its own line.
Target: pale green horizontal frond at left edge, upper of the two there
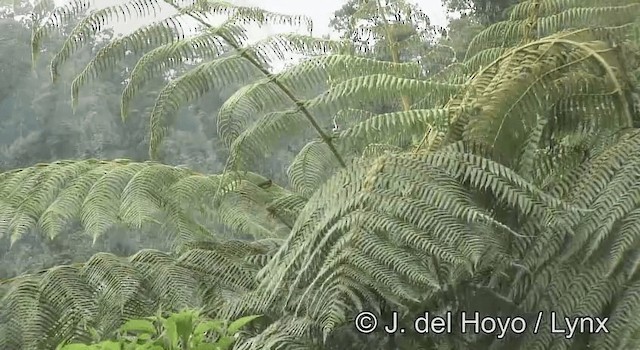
point(100, 194)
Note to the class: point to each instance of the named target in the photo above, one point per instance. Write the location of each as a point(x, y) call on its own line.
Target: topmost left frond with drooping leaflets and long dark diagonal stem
point(167, 32)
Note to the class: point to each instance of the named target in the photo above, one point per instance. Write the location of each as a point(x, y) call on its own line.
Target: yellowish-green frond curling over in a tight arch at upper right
point(537, 77)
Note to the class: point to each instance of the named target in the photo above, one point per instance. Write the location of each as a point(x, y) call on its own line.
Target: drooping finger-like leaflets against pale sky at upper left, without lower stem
point(169, 31)
